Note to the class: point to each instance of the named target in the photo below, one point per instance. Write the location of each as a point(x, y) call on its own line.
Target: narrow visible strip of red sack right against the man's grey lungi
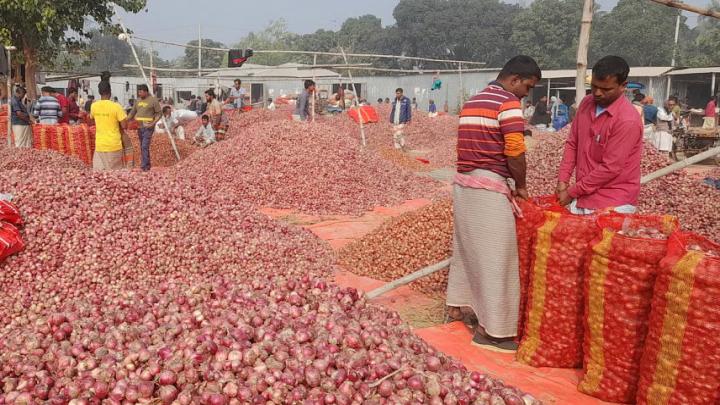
point(525, 228)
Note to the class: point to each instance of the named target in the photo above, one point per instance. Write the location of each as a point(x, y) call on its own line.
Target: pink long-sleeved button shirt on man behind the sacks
point(604, 151)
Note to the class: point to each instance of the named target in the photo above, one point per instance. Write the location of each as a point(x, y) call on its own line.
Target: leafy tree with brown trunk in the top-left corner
point(39, 29)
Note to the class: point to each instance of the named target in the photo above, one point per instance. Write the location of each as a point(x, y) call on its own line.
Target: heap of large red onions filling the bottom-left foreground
point(269, 340)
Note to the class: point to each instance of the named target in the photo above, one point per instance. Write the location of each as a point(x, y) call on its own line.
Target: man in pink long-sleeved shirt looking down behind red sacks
point(604, 147)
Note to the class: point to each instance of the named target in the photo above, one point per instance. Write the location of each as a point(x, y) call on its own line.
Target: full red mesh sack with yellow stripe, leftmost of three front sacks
point(553, 325)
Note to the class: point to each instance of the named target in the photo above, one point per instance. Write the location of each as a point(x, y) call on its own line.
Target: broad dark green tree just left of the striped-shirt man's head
point(474, 30)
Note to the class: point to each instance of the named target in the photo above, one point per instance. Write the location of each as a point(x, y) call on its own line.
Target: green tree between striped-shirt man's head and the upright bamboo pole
point(548, 31)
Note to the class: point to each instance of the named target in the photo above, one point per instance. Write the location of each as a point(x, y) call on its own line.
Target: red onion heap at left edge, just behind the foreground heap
point(102, 234)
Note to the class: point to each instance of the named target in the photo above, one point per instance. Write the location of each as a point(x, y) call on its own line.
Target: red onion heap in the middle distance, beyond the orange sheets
point(313, 168)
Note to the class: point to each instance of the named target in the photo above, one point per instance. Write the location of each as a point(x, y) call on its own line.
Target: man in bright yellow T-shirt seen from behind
point(110, 119)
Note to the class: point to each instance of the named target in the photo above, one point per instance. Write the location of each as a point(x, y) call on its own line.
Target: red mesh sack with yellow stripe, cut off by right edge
point(681, 362)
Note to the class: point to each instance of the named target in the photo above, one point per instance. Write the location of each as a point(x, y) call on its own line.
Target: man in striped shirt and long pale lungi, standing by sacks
point(491, 152)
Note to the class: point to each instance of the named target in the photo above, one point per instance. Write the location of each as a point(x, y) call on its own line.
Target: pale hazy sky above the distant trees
point(229, 20)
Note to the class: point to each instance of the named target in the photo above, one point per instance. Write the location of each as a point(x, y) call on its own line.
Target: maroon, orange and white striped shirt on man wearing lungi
point(491, 129)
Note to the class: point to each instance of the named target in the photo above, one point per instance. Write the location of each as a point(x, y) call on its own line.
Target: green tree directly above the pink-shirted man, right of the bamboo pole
point(640, 31)
